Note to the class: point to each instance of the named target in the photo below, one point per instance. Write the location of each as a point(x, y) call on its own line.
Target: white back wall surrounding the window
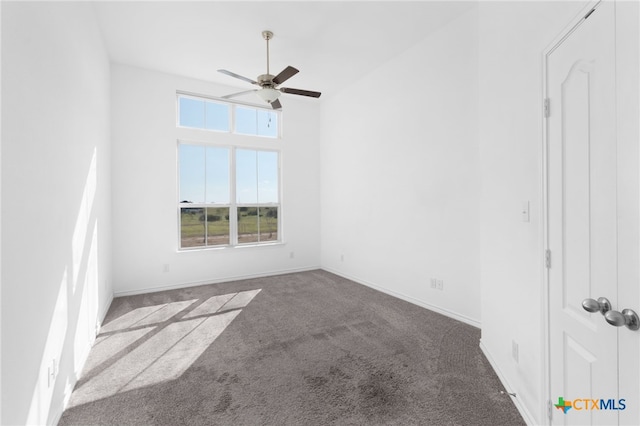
point(145, 233)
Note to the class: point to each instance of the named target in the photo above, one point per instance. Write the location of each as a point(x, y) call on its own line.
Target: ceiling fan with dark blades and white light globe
point(269, 85)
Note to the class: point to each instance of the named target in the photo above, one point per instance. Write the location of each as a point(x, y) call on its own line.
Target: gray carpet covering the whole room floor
point(308, 348)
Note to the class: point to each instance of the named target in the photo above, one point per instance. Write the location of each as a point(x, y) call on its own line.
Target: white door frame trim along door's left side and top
point(546, 405)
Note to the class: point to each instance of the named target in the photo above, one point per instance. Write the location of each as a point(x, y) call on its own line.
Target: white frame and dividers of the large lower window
point(233, 204)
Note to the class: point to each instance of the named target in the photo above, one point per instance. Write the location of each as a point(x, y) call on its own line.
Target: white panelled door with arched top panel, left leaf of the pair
point(583, 226)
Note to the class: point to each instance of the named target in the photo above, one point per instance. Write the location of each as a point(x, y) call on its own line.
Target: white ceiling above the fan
point(332, 43)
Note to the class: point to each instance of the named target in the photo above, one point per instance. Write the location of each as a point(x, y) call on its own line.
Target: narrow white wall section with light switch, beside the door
point(512, 38)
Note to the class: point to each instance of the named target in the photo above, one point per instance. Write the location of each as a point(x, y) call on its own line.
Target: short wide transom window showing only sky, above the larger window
point(208, 114)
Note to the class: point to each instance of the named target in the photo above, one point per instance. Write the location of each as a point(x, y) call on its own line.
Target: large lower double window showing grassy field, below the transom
point(218, 210)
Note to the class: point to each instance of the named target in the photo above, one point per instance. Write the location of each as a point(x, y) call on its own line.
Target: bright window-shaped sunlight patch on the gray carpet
point(155, 344)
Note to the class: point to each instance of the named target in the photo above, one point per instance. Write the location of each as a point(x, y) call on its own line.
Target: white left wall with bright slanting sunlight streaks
point(56, 202)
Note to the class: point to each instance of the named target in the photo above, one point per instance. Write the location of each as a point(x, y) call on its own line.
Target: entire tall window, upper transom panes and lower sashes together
point(228, 195)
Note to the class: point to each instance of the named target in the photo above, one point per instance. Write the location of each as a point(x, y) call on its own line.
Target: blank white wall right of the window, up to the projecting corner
point(400, 177)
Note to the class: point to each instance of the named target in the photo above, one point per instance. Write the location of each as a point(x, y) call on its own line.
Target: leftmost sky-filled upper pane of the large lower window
point(192, 173)
